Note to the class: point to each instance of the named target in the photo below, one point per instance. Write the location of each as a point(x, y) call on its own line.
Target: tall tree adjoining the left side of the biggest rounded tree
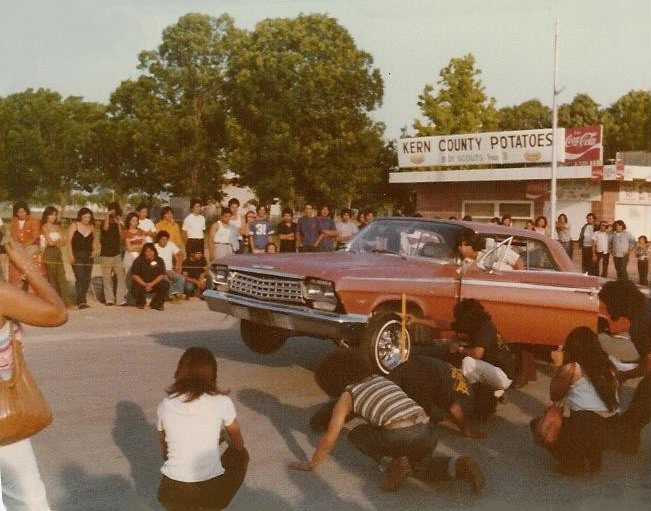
point(185, 76)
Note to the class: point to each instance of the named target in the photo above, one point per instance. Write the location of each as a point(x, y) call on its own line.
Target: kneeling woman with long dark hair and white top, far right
point(587, 381)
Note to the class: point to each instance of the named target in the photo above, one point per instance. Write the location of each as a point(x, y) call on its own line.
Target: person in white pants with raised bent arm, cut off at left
point(19, 474)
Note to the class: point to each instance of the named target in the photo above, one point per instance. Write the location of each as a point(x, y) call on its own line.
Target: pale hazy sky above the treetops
point(87, 47)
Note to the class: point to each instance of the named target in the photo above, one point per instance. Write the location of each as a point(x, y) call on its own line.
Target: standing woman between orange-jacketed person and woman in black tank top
point(53, 240)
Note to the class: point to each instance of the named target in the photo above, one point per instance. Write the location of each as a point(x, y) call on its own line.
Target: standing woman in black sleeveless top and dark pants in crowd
point(81, 236)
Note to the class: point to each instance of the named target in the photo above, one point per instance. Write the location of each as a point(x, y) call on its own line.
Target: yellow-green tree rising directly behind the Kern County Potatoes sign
point(460, 105)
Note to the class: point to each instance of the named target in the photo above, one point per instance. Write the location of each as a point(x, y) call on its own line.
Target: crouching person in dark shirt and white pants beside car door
point(486, 358)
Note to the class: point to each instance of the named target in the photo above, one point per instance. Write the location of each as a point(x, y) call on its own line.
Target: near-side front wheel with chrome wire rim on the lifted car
point(381, 342)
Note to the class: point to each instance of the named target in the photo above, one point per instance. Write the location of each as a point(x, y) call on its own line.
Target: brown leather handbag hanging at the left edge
point(23, 409)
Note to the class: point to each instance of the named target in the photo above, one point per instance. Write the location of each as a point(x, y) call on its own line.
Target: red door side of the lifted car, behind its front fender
point(536, 305)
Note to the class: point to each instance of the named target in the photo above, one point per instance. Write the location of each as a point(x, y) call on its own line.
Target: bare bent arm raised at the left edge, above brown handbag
point(43, 308)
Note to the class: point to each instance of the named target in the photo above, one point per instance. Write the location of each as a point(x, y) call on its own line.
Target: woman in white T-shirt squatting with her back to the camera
point(190, 421)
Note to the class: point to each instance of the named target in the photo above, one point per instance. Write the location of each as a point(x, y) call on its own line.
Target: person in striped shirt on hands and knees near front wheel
point(396, 425)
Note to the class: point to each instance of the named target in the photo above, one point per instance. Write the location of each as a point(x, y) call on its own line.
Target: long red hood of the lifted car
point(336, 265)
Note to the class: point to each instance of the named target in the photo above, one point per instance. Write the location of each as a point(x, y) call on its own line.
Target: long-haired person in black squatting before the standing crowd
point(148, 276)
